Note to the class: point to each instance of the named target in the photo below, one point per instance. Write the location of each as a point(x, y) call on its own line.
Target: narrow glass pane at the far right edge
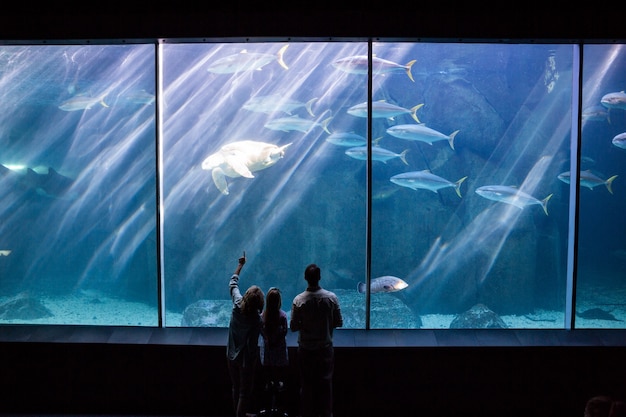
point(600, 285)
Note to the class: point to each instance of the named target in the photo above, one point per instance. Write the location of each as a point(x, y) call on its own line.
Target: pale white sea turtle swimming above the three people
point(241, 159)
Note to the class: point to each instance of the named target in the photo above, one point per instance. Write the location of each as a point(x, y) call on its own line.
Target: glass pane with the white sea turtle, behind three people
point(254, 160)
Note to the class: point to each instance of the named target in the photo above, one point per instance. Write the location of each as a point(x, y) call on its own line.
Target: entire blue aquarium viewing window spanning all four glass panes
point(431, 181)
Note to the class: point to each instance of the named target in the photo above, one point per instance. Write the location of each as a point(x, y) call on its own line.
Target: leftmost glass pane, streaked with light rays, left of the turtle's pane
point(78, 185)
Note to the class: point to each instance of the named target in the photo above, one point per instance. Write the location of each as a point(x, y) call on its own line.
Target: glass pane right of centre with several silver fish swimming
point(469, 218)
